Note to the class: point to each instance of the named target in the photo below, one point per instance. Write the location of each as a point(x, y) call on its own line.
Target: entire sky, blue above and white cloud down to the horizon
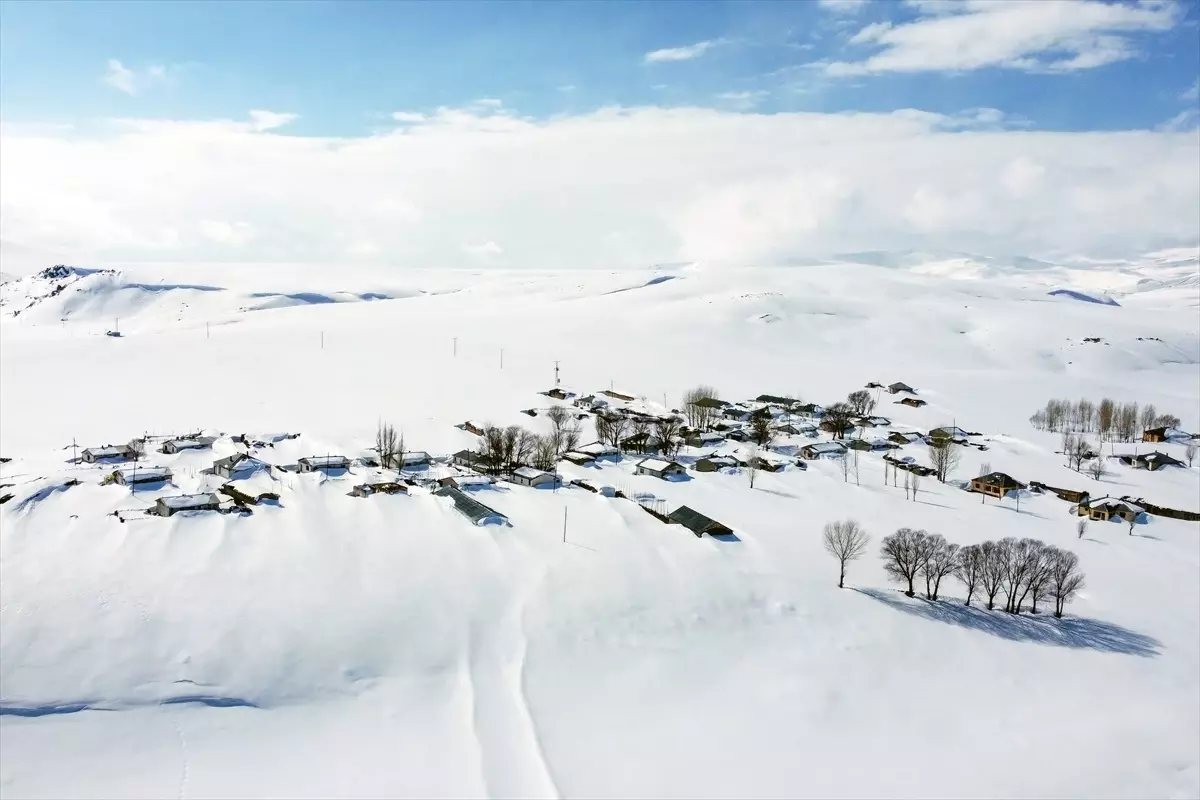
point(597, 135)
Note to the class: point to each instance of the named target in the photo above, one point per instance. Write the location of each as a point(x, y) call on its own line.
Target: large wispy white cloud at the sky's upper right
point(1034, 37)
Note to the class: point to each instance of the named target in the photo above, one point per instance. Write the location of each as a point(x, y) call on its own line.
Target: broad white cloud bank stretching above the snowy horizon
point(616, 188)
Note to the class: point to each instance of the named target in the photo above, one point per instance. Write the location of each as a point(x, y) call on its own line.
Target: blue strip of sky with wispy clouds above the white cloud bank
point(344, 68)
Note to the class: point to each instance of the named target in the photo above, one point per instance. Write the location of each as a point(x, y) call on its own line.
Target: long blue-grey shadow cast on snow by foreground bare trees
point(1045, 629)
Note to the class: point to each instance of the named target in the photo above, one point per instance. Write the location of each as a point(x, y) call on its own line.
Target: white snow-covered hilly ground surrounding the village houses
point(385, 647)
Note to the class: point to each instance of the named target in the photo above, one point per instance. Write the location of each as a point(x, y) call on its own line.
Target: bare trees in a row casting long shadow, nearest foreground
point(1021, 569)
